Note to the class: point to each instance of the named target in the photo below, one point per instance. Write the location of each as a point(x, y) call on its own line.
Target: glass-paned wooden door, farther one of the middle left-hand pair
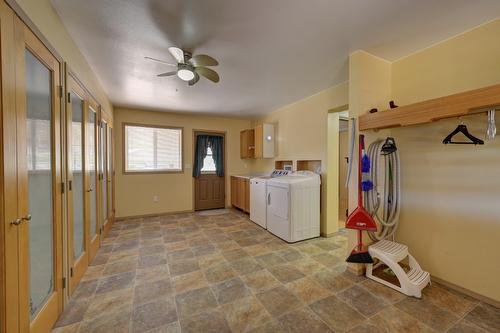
point(92, 179)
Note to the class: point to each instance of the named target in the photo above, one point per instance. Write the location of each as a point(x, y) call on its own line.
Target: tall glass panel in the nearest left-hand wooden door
point(40, 170)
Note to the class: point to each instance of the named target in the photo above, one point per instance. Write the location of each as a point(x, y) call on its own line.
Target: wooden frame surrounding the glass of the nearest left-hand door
point(26, 39)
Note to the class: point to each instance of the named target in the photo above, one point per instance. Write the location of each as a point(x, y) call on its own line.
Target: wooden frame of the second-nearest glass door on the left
point(77, 267)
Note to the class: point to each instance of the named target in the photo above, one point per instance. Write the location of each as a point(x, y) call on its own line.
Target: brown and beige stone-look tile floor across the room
point(222, 273)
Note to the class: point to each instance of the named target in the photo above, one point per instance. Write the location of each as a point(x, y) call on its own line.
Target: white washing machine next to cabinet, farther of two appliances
point(258, 193)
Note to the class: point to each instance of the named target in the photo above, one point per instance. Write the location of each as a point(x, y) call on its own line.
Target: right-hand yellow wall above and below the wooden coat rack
point(451, 194)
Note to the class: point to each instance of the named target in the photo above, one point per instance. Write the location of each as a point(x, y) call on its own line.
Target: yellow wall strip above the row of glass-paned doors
point(50, 25)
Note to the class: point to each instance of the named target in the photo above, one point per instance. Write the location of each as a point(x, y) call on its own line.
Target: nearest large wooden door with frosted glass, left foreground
point(38, 107)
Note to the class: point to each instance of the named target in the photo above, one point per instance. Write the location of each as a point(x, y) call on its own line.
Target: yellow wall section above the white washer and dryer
point(302, 133)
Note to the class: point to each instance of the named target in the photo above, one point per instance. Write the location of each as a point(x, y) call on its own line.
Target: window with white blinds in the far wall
point(152, 149)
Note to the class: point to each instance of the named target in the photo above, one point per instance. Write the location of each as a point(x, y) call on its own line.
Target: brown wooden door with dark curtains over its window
point(209, 169)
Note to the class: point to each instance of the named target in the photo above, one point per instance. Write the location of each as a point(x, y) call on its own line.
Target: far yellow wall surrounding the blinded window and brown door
point(134, 193)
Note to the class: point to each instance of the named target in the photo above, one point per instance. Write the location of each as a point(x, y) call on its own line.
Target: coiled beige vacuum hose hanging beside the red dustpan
point(385, 206)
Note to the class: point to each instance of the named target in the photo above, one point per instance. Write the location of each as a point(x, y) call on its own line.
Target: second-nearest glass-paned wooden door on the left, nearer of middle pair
point(78, 225)
